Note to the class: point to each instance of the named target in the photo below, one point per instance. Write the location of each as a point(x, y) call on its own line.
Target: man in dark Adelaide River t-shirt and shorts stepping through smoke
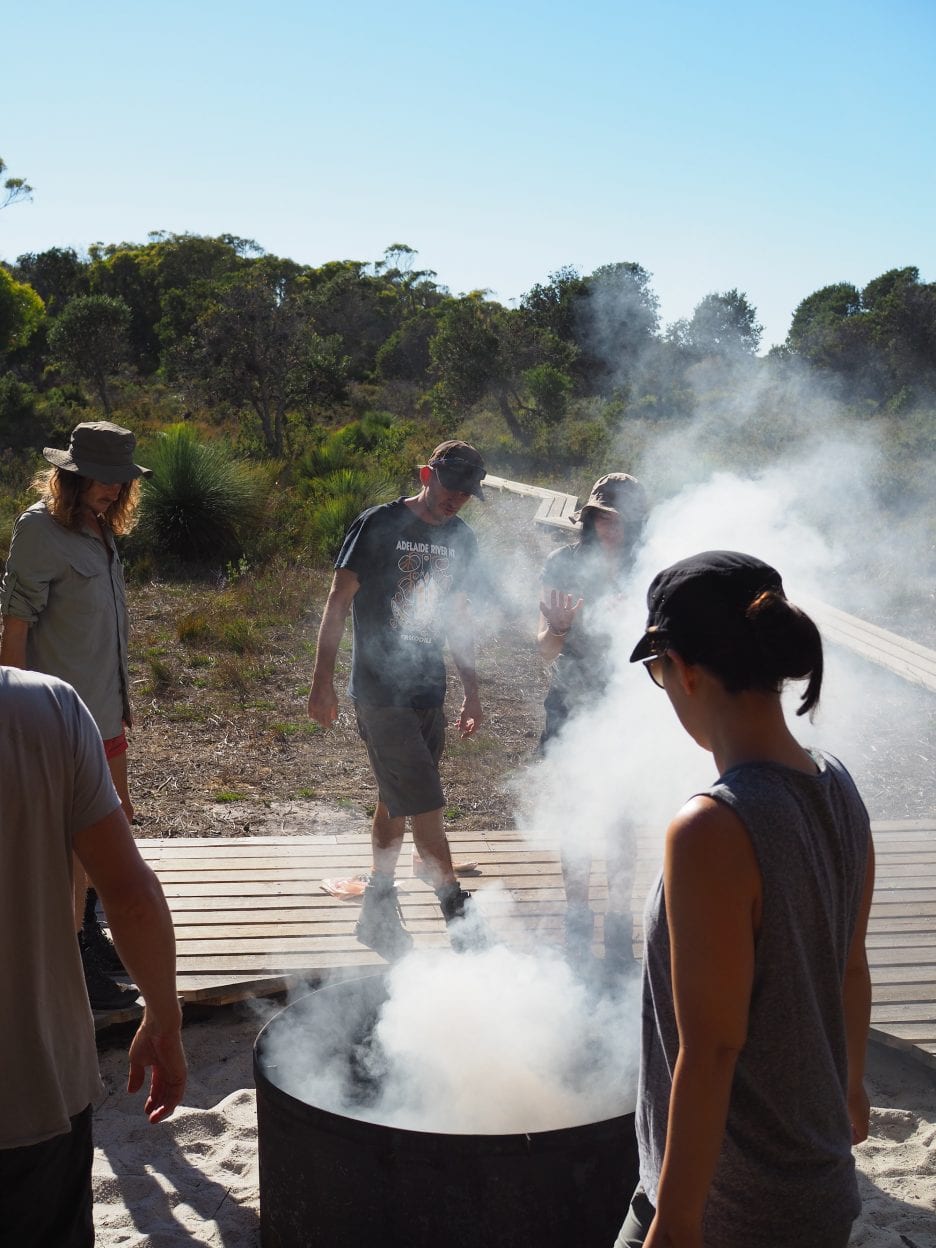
point(405, 572)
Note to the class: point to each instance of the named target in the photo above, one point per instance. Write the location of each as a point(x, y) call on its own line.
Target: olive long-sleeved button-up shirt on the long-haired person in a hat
point(68, 586)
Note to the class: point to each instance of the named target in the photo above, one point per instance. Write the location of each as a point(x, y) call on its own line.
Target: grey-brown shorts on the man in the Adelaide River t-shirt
point(405, 747)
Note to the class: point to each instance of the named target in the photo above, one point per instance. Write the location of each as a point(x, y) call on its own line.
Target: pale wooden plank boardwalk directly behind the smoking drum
point(251, 918)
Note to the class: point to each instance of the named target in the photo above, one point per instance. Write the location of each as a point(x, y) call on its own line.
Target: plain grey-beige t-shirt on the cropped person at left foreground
point(56, 783)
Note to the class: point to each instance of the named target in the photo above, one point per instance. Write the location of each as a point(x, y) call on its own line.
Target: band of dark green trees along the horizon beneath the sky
point(227, 329)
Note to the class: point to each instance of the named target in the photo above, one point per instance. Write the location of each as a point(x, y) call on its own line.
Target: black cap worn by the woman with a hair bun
point(703, 597)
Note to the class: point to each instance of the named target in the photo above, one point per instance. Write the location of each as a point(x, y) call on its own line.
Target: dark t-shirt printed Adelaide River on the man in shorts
point(410, 573)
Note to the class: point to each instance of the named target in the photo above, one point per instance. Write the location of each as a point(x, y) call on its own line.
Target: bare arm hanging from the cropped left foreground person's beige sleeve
point(143, 932)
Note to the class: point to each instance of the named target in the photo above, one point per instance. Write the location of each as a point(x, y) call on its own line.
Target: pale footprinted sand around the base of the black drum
point(194, 1179)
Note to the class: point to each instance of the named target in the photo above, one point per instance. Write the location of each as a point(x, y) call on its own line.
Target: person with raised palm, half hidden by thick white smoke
point(576, 578)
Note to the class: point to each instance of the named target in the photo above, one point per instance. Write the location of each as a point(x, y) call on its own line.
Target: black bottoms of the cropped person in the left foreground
point(46, 1191)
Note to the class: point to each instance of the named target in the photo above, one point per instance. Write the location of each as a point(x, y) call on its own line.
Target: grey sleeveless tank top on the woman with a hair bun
point(786, 1175)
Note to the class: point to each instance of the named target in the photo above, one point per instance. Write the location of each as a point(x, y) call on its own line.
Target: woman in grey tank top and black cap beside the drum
point(757, 993)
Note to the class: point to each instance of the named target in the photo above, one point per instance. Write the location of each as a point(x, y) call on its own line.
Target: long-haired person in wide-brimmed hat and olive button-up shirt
point(64, 608)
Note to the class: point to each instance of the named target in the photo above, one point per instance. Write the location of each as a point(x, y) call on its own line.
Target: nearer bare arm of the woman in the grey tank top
point(712, 885)
